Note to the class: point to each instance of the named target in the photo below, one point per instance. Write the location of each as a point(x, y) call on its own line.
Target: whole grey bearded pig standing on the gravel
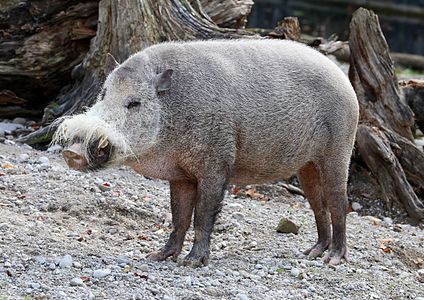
point(205, 113)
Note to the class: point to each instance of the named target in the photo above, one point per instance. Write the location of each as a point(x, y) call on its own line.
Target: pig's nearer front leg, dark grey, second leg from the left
point(208, 205)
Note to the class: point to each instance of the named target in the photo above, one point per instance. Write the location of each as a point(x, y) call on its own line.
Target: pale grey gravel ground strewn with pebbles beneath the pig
point(62, 237)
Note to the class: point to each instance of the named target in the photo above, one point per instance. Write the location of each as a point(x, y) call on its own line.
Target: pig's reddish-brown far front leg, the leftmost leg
point(183, 196)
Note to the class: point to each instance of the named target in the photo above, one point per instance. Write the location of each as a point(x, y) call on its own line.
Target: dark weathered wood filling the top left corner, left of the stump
point(40, 43)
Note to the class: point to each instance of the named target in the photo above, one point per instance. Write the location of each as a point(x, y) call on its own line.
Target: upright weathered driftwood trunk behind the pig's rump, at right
point(384, 139)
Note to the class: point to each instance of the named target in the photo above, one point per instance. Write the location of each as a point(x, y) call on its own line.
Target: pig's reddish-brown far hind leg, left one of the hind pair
point(310, 178)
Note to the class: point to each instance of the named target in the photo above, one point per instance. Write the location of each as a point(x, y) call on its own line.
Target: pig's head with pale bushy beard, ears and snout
point(123, 123)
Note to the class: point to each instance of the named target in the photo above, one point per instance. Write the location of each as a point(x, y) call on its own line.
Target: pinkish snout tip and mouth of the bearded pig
point(97, 155)
